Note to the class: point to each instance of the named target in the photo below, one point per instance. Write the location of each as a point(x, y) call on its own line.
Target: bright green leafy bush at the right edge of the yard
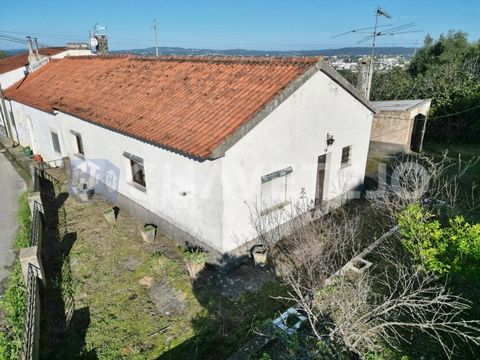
point(454, 248)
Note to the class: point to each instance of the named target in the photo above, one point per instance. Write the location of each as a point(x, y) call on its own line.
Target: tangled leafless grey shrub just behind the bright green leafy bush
point(425, 180)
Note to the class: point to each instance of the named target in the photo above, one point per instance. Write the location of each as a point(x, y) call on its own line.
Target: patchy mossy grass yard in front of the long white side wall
point(128, 299)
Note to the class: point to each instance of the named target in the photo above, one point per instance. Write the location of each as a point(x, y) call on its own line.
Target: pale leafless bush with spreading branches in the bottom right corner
point(410, 300)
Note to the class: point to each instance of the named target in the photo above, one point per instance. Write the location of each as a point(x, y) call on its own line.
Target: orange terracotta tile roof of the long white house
point(185, 104)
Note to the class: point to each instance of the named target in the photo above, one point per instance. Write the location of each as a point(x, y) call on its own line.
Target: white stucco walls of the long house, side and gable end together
point(210, 200)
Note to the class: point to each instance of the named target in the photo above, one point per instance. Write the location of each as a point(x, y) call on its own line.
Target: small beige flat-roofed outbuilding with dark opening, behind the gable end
point(400, 124)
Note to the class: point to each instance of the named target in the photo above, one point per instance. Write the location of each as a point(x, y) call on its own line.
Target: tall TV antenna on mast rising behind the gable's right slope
point(387, 30)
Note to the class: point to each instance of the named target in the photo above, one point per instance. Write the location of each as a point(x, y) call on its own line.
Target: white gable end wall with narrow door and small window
point(295, 135)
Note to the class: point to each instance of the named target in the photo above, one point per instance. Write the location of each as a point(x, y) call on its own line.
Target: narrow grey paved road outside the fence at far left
point(11, 186)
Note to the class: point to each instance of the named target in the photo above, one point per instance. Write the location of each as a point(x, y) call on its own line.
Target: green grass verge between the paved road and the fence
point(13, 302)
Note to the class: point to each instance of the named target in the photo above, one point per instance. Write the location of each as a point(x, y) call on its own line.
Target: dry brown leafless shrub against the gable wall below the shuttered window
point(310, 250)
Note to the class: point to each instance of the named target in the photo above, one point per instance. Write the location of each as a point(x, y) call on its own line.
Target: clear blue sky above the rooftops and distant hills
point(249, 24)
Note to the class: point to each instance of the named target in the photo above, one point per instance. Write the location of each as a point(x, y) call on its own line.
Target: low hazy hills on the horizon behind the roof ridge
point(349, 51)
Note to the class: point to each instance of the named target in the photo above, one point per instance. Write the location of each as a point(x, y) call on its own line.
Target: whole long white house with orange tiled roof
point(193, 144)
